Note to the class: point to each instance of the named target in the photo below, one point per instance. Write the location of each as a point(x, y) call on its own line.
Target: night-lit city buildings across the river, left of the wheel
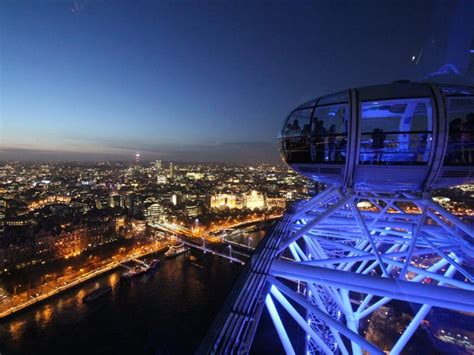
point(59, 211)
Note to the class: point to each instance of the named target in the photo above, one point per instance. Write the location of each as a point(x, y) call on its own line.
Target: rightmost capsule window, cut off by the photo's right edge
point(460, 149)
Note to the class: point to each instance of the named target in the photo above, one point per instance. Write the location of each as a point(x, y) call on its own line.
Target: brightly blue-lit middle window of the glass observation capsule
point(396, 132)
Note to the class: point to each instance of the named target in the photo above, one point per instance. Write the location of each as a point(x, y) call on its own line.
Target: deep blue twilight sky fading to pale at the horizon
point(192, 80)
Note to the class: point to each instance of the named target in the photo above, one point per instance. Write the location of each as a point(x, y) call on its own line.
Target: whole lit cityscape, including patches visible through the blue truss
point(65, 223)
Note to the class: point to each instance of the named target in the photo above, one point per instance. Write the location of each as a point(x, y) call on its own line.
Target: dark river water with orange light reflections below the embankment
point(167, 311)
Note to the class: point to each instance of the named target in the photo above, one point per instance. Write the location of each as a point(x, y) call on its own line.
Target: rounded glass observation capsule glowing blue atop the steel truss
point(402, 136)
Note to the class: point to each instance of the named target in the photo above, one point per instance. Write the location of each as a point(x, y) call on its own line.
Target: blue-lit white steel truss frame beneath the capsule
point(399, 247)
